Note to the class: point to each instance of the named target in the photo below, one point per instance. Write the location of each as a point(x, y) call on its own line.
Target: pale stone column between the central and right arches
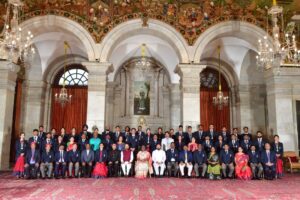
point(190, 92)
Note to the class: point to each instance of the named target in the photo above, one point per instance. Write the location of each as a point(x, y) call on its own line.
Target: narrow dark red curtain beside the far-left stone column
point(16, 118)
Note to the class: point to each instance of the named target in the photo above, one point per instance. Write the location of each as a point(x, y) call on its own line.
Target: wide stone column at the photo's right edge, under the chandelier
point(282, 92)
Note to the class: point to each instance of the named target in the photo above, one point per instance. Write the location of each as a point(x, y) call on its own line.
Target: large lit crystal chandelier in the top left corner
point(15, 45)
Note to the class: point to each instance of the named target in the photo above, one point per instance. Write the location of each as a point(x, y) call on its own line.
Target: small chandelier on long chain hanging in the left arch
point(63, 97)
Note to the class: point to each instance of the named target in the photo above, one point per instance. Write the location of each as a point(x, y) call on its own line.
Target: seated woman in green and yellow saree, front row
point(214, 168)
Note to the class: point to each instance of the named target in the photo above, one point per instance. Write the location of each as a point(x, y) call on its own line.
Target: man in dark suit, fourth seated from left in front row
point(74, 160)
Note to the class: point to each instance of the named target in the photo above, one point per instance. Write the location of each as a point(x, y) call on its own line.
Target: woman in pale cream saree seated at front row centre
point(143, 163)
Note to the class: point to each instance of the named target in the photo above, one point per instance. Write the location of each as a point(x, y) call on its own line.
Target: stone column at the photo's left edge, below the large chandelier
point(8, 78)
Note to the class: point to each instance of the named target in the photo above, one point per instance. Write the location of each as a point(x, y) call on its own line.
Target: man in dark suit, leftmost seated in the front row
point(32, 161)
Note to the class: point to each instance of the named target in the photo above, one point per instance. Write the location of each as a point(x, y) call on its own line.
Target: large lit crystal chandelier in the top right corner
point(284, 51)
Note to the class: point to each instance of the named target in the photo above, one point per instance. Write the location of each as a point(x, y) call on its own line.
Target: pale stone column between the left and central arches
point(96, 93)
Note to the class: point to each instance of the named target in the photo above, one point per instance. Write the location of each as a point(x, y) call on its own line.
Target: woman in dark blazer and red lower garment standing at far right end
point(278, 149)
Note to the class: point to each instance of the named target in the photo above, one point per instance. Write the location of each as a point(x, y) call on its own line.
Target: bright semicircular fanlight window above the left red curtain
point(74, 77)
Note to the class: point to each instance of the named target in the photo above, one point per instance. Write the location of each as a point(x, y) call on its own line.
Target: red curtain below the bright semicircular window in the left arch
point(72, 114)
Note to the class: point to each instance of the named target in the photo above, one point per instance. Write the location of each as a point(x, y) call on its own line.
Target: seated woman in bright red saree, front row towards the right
point(242, 170)
